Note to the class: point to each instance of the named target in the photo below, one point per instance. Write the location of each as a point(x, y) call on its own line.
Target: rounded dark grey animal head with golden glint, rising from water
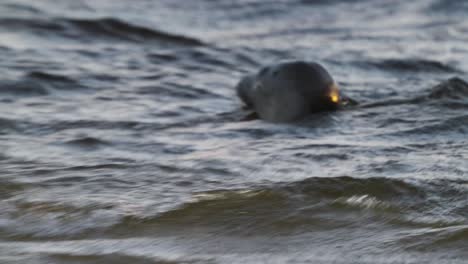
point(289, 91)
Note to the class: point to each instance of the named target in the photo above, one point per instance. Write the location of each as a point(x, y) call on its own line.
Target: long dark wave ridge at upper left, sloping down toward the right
point(90, 29)
